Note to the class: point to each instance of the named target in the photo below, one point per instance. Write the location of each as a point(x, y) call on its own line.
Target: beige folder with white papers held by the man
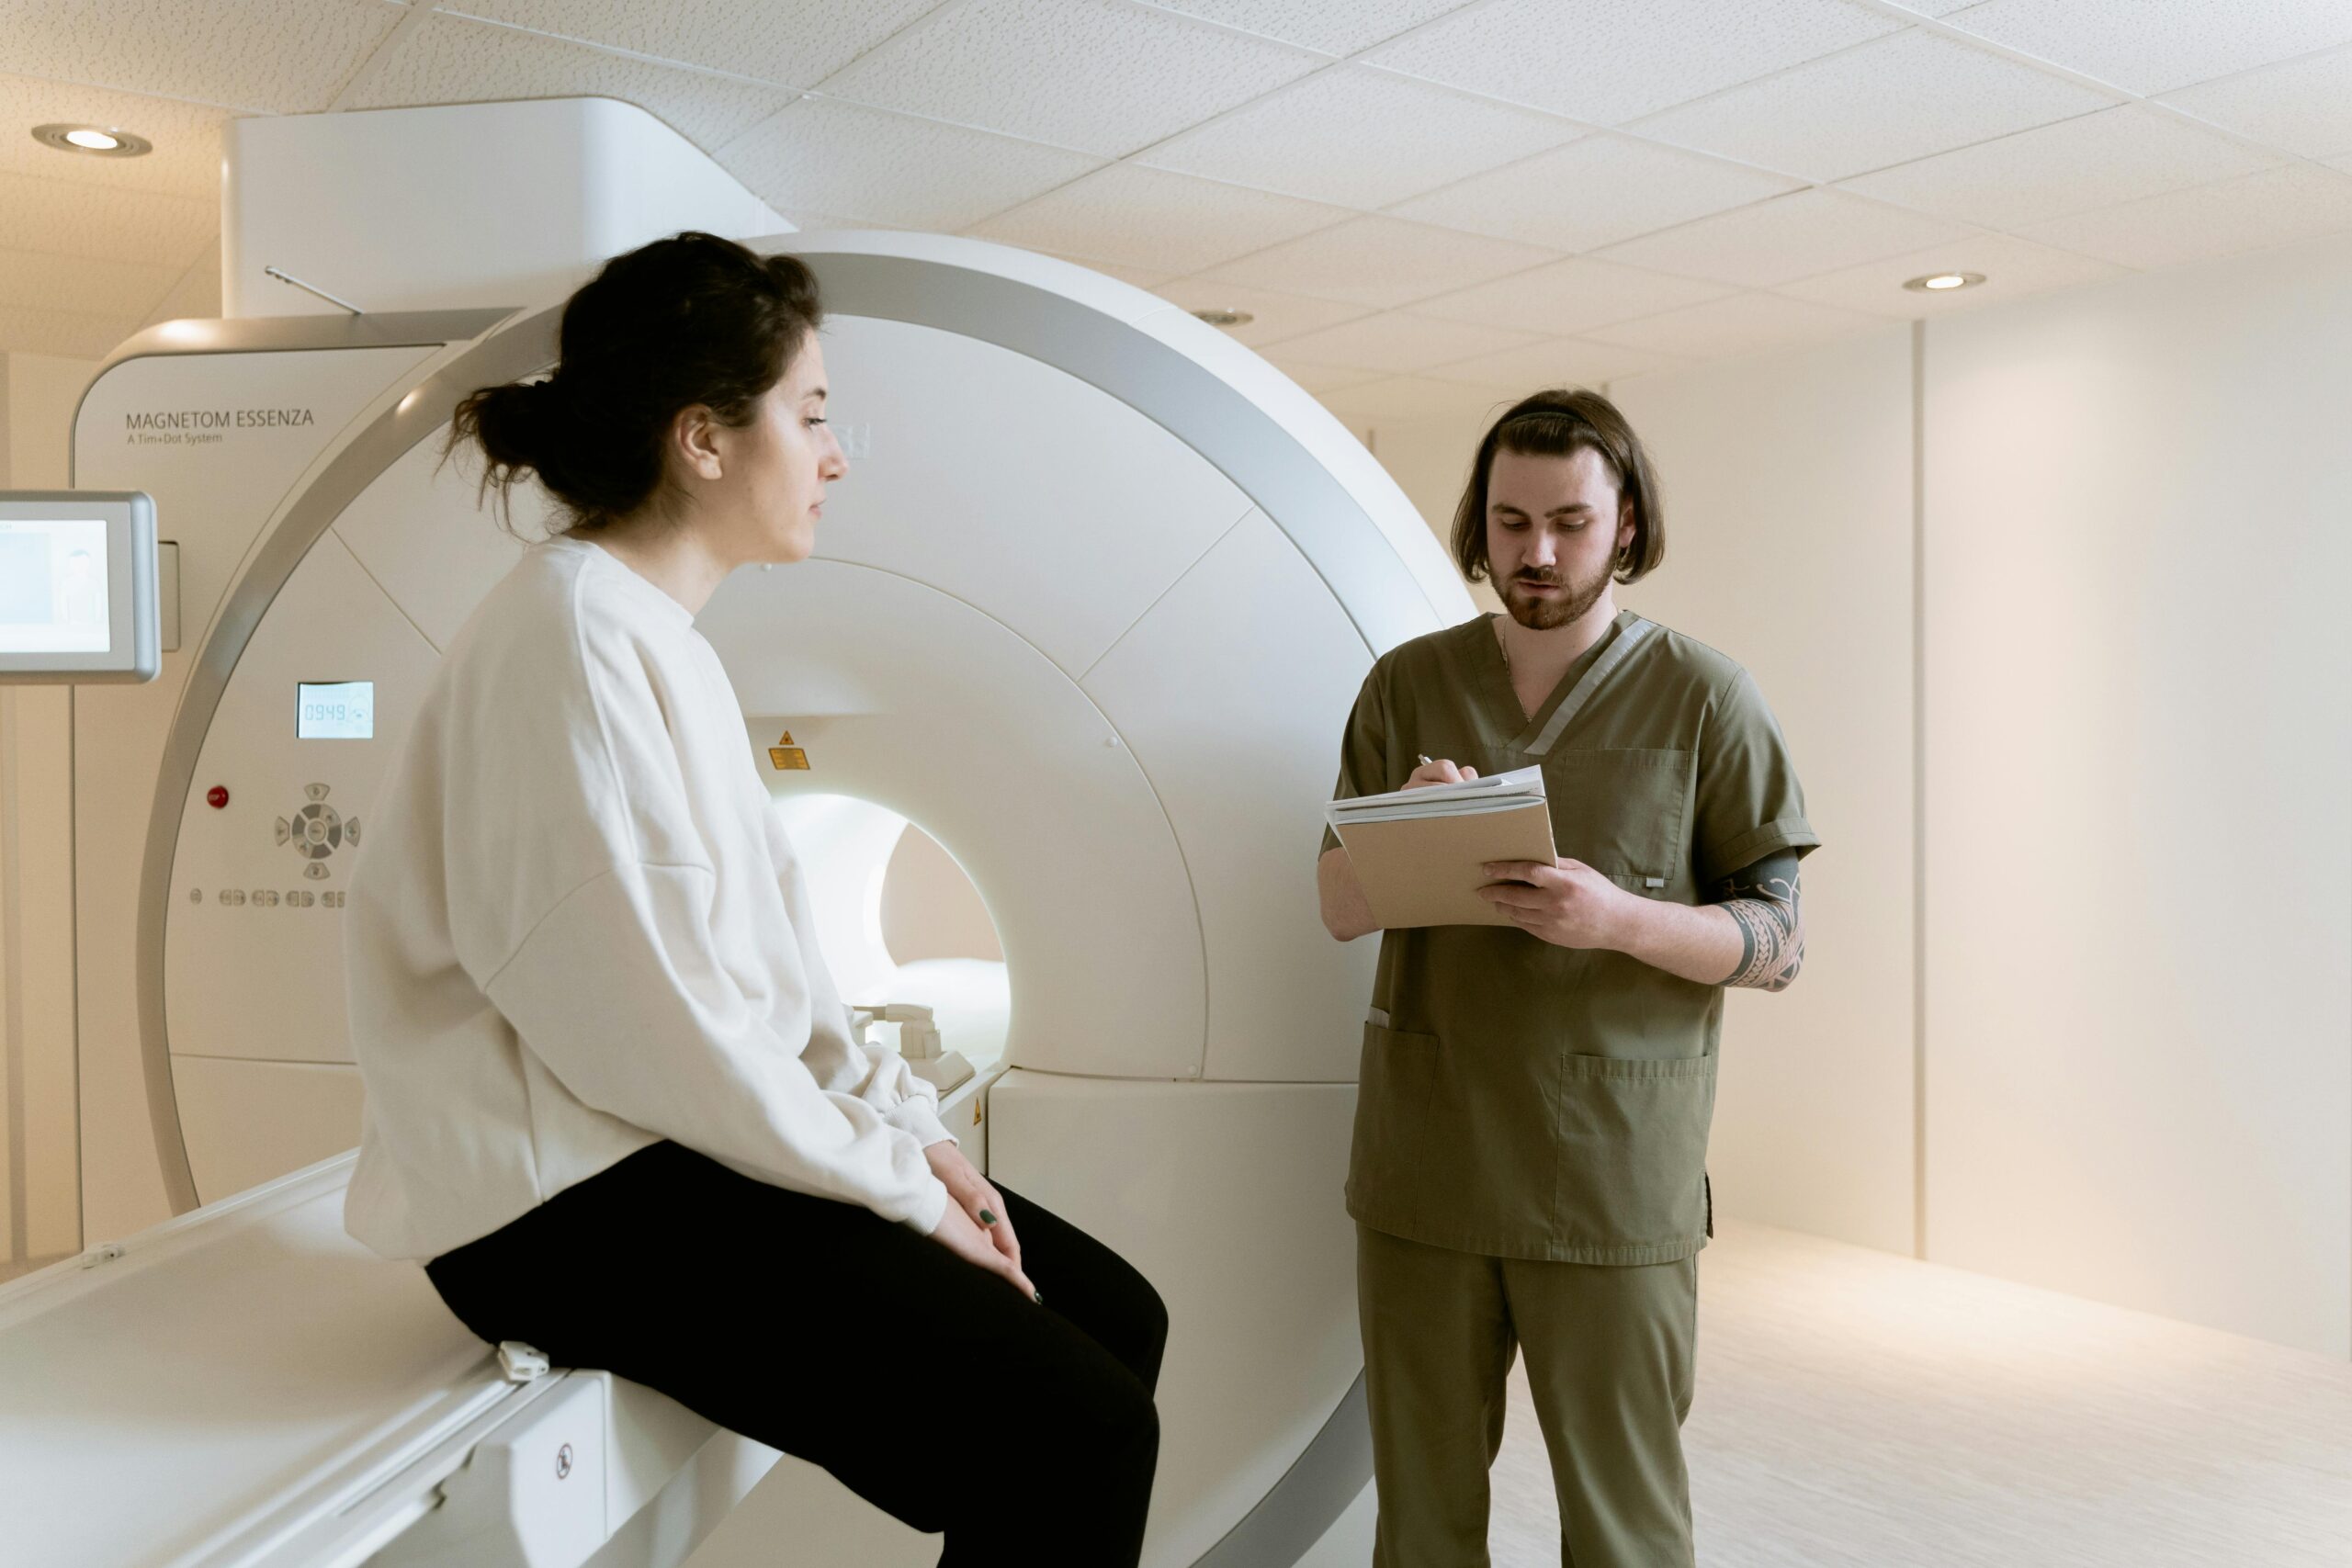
point(1422, 855)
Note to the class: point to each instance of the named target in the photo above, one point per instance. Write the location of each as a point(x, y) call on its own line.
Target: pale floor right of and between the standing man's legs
point(1869, 1412)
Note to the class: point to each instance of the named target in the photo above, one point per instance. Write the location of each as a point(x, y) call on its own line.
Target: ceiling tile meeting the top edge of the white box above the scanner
point(472, 62)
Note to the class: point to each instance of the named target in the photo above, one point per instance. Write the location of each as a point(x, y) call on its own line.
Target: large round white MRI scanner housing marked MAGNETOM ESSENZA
point(1090, 610)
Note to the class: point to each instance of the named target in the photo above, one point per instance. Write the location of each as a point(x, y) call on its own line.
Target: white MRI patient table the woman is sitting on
point(250, 1388)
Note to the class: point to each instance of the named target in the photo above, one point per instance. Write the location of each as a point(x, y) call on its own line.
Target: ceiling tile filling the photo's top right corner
point(2156, 46)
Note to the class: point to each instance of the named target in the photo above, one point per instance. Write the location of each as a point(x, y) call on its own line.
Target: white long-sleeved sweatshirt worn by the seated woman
point(577, 930)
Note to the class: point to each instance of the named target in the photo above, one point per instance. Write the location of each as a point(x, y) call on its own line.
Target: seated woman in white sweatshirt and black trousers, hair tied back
point(613, 1097)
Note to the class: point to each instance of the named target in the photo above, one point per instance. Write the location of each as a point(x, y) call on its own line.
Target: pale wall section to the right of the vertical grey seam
point(2139, 819)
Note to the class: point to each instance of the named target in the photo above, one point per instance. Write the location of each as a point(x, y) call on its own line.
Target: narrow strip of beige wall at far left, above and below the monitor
point(39, 1139)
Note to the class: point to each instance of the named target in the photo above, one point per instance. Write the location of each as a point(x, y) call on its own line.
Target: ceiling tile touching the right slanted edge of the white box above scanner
point(829, 156)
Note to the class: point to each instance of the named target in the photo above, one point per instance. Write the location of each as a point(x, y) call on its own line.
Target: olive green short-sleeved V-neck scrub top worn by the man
point(1535, 1101)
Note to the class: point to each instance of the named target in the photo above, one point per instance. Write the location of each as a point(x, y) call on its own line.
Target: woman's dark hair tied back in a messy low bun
point(676, 323)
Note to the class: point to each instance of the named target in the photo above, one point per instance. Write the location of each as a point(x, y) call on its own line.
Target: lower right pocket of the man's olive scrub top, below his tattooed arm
point(1633, 1155)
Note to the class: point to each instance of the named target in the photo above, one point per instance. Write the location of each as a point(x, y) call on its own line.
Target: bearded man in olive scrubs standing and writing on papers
point(1532, 1125)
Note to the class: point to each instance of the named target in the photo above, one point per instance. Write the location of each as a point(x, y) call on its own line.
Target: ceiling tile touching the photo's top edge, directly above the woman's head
point(799, 43)
